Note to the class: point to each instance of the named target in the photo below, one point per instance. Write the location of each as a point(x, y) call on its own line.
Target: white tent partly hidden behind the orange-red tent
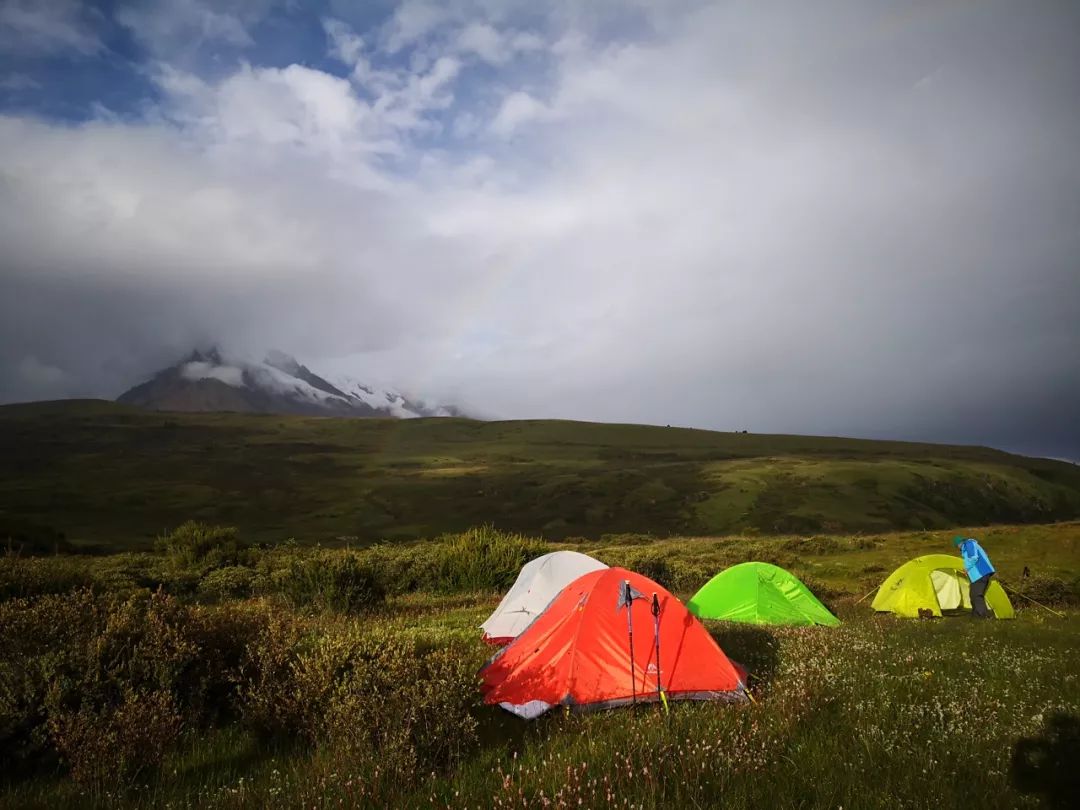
point(538, 584)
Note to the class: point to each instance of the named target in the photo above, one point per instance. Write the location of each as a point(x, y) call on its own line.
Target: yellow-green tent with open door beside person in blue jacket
point(937, 583)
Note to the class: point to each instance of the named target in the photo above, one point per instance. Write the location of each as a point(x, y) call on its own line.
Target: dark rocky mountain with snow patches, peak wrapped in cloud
point(279, 384)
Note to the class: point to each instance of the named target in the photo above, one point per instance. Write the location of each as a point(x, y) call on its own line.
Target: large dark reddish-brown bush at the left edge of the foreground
point(106, 682)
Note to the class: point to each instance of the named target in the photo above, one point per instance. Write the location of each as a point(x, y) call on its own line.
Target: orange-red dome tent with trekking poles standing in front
point(578, 653)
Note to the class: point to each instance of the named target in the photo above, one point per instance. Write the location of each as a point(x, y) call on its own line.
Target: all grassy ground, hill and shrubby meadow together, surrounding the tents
point(231, 612)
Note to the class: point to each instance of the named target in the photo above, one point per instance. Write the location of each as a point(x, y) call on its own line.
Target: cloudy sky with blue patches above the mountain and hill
point(850, 219)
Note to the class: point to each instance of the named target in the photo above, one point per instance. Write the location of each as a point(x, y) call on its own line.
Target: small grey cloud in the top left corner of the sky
point(43, 28)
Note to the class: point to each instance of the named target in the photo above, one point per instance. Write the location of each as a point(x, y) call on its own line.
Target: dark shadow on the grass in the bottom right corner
point(1047, 764)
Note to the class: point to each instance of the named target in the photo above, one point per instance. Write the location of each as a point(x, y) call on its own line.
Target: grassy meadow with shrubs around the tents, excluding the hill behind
point(213, 673)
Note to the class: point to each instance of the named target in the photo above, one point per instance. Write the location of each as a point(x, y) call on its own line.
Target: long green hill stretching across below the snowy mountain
point(105, 474)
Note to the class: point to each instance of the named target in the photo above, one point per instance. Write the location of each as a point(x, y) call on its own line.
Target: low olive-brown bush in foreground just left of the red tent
point(391, 707)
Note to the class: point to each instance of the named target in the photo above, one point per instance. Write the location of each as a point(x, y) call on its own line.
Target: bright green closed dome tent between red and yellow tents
point(761, 595)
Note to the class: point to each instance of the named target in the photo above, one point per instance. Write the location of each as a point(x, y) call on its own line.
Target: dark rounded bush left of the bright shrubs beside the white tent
point(331, 582)
